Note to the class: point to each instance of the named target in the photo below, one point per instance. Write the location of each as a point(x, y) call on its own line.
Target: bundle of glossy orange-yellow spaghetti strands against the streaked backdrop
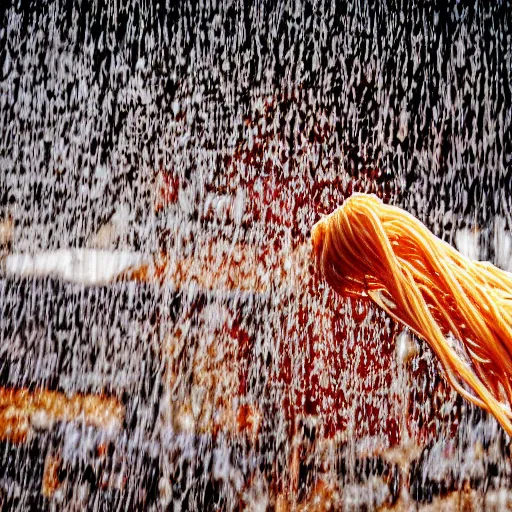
point(462, 308)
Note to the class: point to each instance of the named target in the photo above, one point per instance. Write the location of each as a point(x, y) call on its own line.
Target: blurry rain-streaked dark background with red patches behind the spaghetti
point(164, 341)
